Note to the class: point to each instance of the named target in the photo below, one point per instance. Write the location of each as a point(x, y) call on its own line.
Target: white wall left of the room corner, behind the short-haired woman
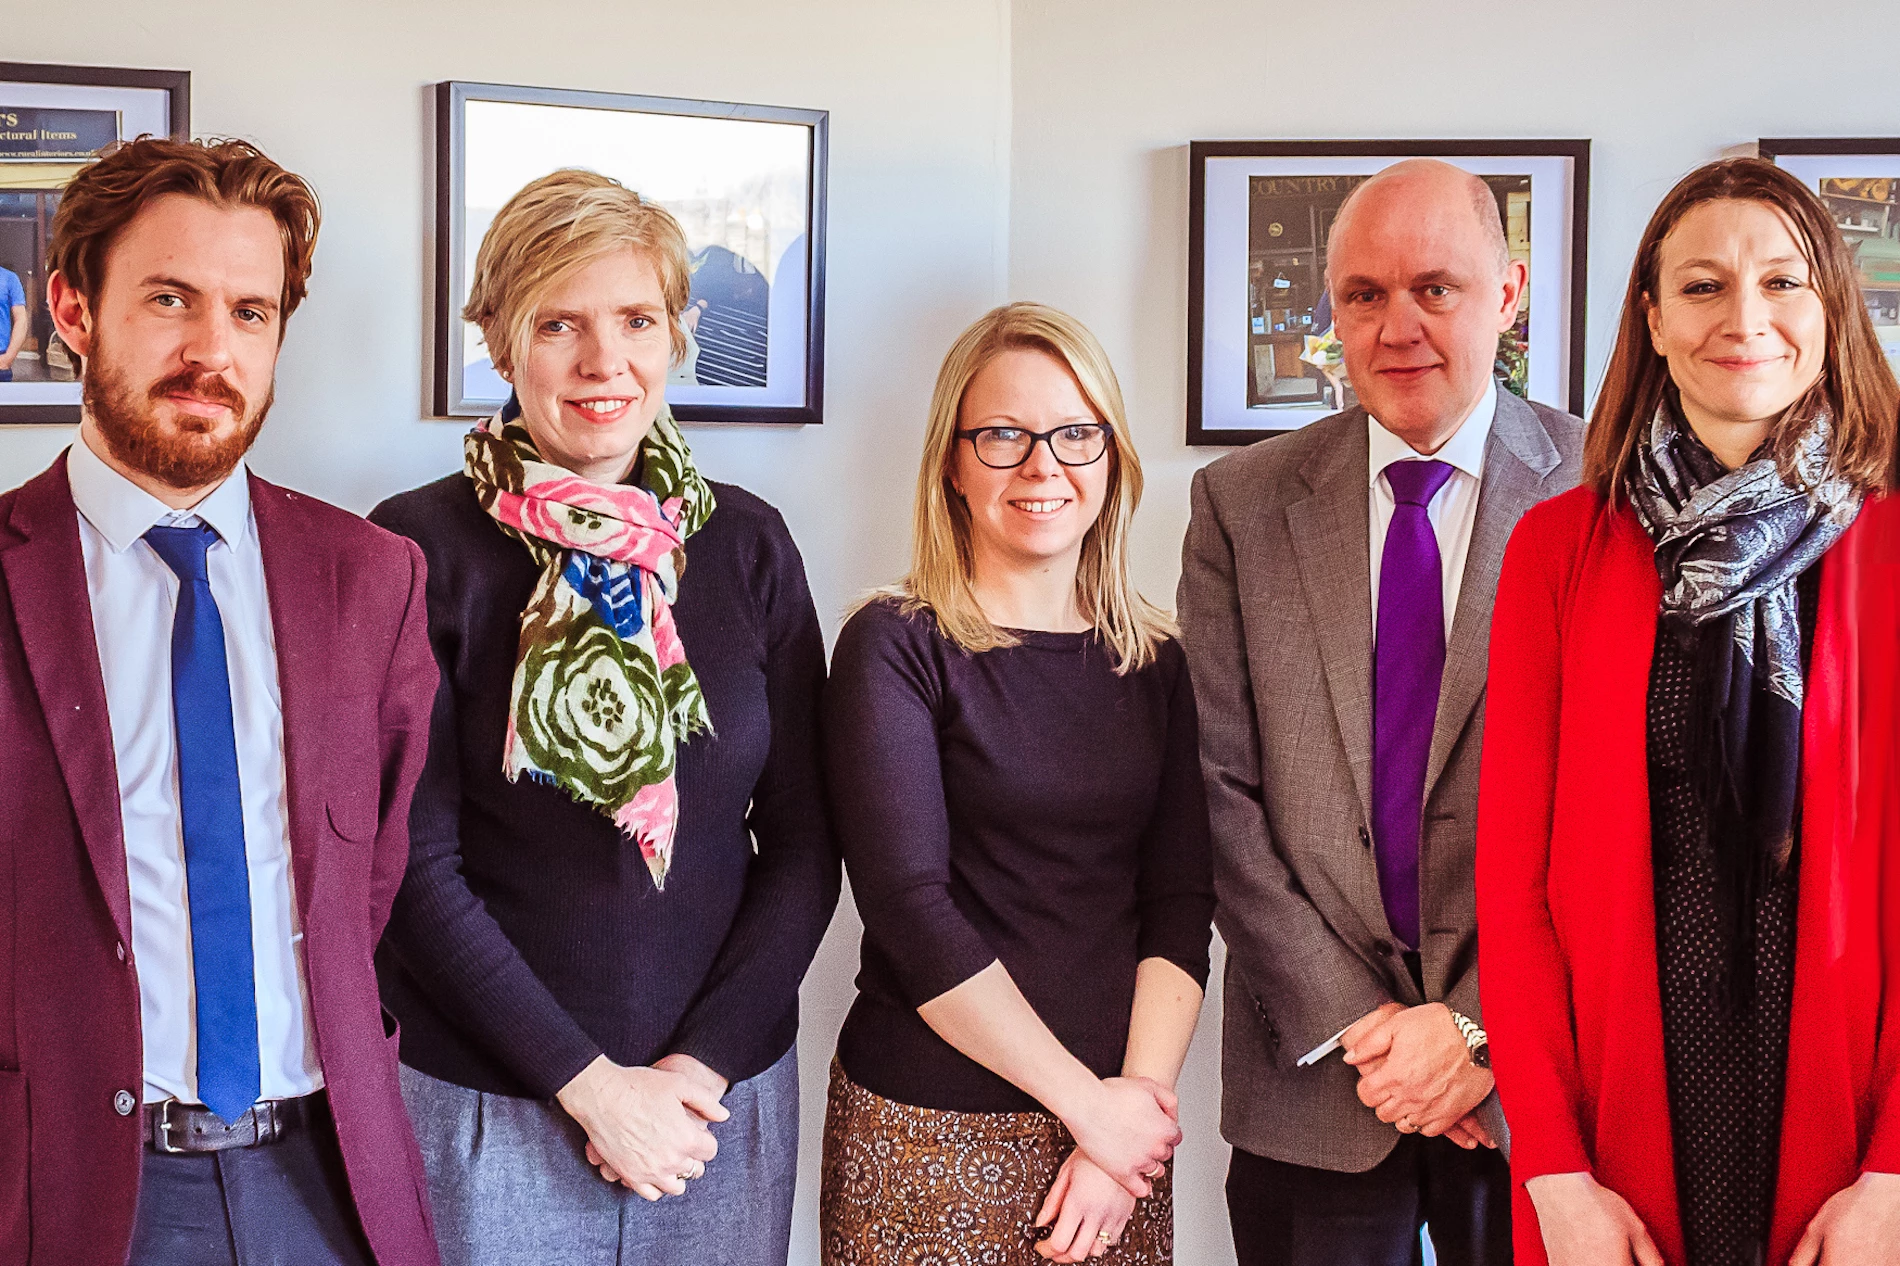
point(919, 100)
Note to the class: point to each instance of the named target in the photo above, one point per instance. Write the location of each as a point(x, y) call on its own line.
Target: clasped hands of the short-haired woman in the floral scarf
point(645, 1126)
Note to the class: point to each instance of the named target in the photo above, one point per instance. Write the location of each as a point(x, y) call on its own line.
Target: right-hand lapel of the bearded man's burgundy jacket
point(303, 617)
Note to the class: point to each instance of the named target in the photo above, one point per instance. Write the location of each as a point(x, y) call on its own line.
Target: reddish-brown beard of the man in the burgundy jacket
point(183, 453)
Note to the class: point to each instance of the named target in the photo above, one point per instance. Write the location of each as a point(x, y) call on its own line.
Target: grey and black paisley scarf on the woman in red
point(1732, 547)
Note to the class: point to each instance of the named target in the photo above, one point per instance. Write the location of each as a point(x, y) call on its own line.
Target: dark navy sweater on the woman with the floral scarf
point(529, 936)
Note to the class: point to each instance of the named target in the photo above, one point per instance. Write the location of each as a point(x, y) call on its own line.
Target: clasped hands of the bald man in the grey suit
point(1415, 1069)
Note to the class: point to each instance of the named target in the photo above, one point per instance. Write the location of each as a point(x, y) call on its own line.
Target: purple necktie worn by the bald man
point(1407, 668)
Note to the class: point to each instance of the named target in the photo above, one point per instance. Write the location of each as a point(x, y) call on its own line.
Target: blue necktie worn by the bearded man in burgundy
point(216, 873)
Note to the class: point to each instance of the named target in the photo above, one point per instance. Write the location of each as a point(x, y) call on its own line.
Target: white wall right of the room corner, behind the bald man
point(1111, 92)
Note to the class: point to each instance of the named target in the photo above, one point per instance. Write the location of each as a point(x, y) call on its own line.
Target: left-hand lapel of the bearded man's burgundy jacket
point(47, 581)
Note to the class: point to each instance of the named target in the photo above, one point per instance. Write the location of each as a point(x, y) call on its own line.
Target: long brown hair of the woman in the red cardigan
point(1855, 383)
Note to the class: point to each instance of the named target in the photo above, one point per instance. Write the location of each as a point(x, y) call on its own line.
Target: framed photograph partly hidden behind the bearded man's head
point(54, 121)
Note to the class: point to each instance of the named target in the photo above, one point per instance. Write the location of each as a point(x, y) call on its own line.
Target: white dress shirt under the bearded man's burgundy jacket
point(134, 600)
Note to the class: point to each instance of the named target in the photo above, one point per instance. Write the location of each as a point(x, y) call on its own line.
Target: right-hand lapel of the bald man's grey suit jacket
point(1517, 459)
